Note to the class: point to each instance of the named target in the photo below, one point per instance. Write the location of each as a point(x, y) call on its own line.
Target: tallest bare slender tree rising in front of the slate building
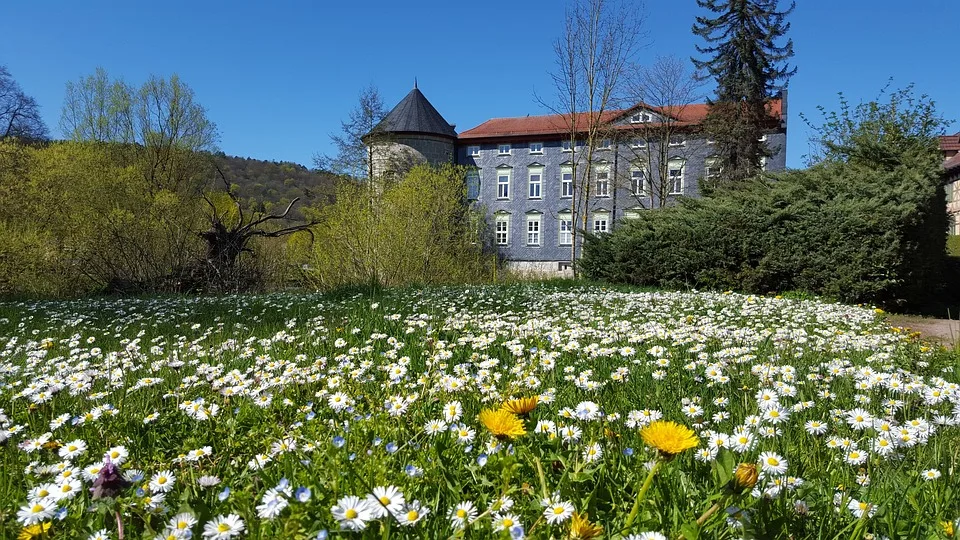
point(597, 47)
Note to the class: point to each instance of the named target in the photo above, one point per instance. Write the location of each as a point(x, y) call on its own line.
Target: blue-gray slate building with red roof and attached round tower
point(521, 169)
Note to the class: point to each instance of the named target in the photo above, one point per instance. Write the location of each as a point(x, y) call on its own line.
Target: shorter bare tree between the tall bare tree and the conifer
point(660, 128)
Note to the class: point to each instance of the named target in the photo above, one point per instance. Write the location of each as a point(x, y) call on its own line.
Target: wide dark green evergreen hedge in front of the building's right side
point(845, 230)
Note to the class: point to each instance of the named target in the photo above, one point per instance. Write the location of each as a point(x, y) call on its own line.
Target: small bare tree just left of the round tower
point(354, 157)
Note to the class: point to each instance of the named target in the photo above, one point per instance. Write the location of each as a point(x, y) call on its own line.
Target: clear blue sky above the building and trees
point(277, 77)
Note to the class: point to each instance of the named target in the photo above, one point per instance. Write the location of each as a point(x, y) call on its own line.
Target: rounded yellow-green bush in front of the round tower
point(417, 230)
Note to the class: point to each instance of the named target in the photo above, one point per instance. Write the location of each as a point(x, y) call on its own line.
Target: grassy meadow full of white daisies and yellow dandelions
point(473, 412)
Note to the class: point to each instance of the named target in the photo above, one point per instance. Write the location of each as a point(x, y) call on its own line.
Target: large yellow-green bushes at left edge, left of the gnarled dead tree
point(78, 212)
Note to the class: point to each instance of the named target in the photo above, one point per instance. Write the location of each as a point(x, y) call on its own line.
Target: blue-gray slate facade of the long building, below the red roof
point(622, 161)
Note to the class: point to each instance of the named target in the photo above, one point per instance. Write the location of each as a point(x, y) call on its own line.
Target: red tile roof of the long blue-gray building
point(557, 124)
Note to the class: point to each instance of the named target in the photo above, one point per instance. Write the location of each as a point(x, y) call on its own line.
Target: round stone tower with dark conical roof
point(412, 133)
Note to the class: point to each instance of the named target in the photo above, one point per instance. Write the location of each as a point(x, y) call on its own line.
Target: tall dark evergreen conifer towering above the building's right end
point(749, 67)
